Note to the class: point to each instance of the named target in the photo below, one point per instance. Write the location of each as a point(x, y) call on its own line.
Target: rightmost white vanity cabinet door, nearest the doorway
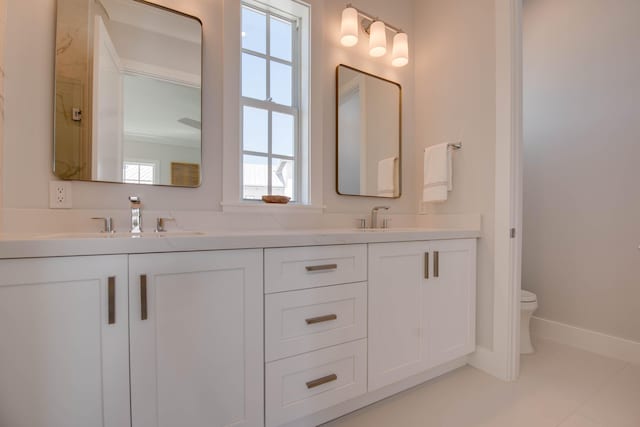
point(451, 301)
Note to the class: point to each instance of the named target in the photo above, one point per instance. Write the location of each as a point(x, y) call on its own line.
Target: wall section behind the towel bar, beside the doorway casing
point(455, 85)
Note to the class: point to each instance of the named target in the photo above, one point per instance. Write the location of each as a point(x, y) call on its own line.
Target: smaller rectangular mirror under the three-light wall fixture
point(368, 134)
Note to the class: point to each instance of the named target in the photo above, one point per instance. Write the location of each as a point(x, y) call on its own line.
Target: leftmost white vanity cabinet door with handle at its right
point(64, 357)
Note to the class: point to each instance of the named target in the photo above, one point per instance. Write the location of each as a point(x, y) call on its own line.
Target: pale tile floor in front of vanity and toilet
point(559, 386)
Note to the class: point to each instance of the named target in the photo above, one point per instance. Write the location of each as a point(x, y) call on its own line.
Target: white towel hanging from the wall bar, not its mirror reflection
point(438, 173)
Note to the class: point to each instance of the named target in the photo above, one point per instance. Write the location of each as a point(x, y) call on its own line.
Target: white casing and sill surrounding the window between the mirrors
point(311, 112)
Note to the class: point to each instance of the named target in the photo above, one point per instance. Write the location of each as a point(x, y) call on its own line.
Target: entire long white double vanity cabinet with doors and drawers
point(270, 336)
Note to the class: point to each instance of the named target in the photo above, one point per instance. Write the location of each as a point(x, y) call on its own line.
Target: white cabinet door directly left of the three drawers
point(196, 339)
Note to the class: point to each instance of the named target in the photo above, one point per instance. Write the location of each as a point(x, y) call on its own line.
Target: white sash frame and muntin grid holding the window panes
point(272, 107)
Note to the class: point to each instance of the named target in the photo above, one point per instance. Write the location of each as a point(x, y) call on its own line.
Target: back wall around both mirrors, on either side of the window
point(28, 135)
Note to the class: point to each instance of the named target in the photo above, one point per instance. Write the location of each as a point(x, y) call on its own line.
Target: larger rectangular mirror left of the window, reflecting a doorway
point(128, 80)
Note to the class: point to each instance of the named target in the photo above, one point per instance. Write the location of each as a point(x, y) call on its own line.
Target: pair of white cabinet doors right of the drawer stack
point(421, 307)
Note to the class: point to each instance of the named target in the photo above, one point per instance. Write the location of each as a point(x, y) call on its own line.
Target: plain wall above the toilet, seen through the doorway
point(582, 152)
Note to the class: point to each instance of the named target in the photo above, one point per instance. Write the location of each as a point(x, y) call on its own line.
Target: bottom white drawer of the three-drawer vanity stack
point(301, 385)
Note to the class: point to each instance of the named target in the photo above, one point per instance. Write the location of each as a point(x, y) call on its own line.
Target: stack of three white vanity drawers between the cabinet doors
point(315, 327)
